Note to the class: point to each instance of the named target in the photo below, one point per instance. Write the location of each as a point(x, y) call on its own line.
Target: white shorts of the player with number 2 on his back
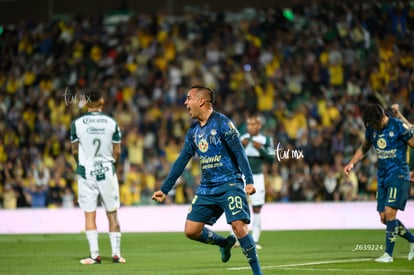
point(103, 187)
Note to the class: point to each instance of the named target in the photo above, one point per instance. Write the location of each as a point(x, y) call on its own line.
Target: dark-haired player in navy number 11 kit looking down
point(390, 138)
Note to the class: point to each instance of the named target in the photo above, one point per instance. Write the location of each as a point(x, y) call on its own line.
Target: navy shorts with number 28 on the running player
point(209, 208)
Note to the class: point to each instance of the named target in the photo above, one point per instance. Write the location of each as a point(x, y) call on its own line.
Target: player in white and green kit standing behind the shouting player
point(259, 149)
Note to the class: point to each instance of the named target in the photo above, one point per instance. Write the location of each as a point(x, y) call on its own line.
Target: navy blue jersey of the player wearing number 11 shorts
point(390, 145)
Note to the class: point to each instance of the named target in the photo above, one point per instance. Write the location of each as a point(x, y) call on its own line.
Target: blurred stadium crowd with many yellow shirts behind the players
point(308, 71)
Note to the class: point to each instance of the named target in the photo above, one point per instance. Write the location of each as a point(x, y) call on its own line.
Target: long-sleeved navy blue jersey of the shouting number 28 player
point(222, 156)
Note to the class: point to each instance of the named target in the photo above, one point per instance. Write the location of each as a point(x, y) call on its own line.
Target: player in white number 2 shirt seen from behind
point(96, 146)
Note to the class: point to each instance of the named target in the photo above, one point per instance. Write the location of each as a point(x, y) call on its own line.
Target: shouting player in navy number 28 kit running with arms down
point(223, 161)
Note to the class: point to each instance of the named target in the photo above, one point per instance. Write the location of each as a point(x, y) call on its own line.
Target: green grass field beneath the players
point(284, 252)
